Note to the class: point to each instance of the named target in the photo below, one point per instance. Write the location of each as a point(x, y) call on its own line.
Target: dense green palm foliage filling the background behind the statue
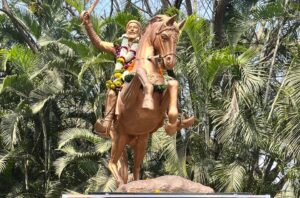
point(240, 143)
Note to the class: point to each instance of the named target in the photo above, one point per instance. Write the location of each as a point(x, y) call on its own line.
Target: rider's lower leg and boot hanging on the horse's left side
point(102, 127)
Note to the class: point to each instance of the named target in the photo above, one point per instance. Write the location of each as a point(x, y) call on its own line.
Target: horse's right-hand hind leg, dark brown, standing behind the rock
point(139, 149)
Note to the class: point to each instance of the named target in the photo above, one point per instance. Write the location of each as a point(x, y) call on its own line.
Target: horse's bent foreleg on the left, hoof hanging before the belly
point(148, 89)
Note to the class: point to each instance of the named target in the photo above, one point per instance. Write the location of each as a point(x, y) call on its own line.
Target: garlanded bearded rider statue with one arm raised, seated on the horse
point(125, 55)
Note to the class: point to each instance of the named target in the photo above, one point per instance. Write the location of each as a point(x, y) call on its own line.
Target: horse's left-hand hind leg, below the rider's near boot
point(119, 141)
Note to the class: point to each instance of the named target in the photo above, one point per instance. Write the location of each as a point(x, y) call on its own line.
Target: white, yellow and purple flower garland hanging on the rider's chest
point(124, 63)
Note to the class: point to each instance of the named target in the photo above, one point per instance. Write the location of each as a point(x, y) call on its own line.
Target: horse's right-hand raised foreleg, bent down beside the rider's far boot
point(172, 90)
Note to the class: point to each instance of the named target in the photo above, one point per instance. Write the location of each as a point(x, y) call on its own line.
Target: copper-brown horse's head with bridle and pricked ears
point(164, 39)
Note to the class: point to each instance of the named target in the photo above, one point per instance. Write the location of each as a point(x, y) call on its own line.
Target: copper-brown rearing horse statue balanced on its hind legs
point(141, 110)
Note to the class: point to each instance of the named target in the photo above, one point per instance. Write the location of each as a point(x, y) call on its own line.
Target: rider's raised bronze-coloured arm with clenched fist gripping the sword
point(95, 39)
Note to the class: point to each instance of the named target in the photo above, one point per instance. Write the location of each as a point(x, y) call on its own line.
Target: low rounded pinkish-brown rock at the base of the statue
point(165, 184)
